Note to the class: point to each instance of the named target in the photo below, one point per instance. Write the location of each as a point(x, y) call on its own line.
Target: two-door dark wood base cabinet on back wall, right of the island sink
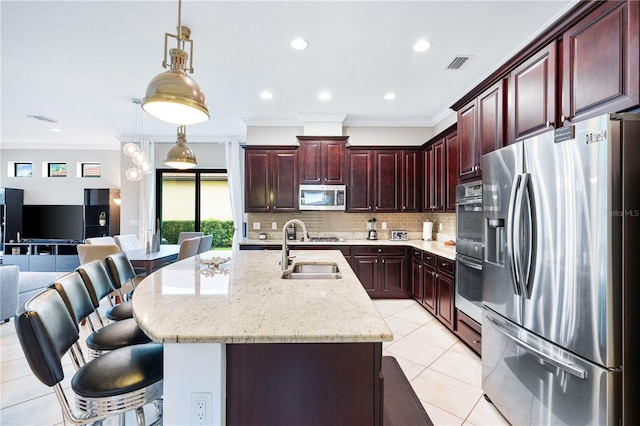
point(382, 270)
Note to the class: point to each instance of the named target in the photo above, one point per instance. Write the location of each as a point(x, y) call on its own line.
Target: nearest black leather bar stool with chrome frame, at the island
point(122, 380)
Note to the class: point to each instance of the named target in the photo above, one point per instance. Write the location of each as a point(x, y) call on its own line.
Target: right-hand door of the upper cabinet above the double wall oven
point(490, 121)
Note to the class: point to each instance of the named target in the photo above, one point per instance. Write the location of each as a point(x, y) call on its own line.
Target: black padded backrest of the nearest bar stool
point(46, 332)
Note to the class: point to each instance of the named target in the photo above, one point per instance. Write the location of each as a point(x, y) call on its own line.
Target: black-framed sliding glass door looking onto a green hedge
point(194, 200)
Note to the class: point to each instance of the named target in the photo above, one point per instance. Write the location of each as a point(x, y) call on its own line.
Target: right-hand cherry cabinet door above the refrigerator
point(601, 62)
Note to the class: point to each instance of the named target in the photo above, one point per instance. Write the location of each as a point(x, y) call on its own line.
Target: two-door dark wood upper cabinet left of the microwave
point(271, 180)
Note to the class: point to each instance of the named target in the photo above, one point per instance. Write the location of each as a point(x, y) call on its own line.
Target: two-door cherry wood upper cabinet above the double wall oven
point(480, 130)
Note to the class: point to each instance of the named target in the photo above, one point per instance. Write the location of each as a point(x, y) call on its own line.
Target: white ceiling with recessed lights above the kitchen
point(81, 62)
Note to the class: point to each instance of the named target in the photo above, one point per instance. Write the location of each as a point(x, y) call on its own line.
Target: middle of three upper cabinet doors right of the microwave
point(387, 181)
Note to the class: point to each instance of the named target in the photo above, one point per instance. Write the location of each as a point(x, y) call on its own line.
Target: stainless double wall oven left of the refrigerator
point(469, 249)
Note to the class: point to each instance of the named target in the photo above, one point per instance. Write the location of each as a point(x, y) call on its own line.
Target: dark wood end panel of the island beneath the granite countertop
point(304, 383)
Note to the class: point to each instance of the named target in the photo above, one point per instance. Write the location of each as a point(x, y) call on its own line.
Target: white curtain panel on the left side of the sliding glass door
point(147, 197)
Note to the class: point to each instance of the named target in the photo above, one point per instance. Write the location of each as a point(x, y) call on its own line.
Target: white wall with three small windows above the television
point(59, 190)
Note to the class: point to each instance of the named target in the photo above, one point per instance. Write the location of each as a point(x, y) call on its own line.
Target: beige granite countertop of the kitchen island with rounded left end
point(247, 301)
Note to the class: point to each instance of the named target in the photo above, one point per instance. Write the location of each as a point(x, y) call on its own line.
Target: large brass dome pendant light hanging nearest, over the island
point(173, 96)
